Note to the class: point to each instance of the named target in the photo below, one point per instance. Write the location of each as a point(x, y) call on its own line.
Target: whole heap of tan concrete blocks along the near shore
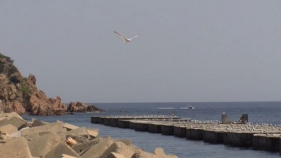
point(35, 138)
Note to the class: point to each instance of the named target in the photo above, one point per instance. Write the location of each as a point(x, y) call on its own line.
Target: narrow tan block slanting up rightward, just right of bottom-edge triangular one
point(98, 149)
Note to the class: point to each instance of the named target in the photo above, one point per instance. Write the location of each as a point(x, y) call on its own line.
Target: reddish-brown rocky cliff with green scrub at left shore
point(21, 95)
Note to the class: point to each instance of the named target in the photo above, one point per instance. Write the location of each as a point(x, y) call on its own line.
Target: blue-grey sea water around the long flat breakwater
point(258, 112)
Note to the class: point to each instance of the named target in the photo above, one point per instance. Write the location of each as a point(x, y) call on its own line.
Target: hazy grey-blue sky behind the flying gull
point(187, 51)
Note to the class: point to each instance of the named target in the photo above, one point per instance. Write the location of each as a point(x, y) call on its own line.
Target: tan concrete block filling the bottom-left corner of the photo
point(16, 147)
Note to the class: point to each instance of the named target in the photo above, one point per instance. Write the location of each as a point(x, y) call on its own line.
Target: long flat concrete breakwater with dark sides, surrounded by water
point(254, 136)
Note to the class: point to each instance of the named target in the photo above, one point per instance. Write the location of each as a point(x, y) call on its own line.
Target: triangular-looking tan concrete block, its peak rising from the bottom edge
point(61, 149)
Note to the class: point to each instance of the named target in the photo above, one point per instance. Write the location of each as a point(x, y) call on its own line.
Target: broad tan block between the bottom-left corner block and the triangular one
point(43, 144)
